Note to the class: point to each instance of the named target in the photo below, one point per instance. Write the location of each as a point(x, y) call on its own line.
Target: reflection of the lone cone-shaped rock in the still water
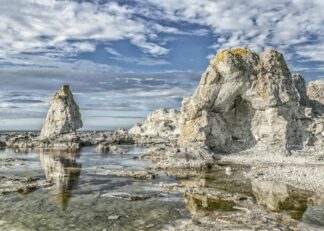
point(62, 169)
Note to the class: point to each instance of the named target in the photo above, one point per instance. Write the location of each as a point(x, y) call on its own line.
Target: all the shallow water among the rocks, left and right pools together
point(82, 198)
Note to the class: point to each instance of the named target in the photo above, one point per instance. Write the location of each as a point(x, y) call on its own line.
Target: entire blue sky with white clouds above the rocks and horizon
point(125, 58)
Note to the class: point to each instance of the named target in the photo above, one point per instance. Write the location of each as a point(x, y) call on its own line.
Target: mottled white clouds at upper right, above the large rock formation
point(283, 24)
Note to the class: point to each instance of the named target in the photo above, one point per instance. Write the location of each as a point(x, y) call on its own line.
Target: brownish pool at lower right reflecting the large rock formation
point(221, 192)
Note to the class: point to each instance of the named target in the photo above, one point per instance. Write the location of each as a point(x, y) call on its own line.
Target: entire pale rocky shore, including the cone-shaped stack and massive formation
point(248, 109)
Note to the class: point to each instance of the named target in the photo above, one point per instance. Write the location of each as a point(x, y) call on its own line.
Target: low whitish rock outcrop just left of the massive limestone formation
point(159, 124)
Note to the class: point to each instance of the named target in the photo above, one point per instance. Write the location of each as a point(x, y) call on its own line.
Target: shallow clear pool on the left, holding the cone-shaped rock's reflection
point(81, 198)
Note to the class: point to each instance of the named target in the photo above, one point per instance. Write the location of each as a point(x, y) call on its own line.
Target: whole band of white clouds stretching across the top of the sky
point(68, 27)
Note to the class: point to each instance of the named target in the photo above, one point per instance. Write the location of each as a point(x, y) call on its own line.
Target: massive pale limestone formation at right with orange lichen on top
point(247, 100)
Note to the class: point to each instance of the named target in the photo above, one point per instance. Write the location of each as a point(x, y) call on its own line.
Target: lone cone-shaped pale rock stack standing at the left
point(63, 115)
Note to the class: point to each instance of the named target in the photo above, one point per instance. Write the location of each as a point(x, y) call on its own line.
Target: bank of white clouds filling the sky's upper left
point(38, 26)
